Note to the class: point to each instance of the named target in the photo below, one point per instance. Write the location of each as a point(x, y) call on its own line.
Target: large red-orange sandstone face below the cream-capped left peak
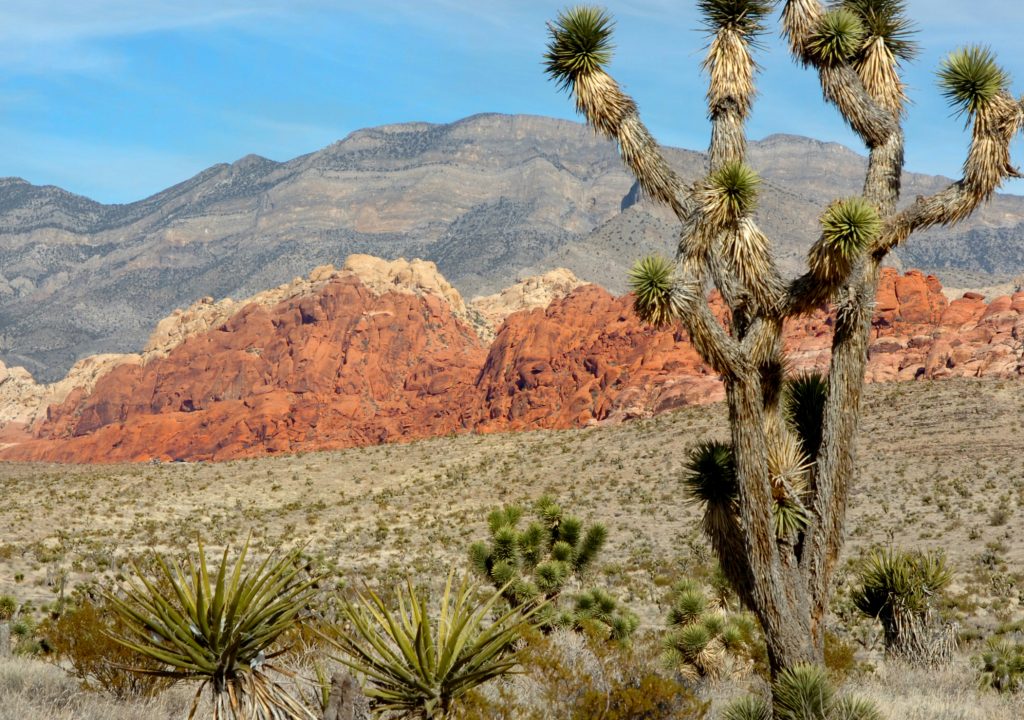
point(342, 368)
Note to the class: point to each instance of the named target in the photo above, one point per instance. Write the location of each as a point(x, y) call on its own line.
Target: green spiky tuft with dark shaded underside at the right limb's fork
point(848, 229)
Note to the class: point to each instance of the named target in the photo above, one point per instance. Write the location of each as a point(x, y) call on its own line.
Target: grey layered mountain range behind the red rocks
point(489, 199)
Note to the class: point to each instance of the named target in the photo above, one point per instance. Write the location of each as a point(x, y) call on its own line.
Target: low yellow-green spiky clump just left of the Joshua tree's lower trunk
point(702, 640)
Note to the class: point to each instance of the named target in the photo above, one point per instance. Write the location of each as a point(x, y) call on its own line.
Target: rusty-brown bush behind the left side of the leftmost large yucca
point(83, 639)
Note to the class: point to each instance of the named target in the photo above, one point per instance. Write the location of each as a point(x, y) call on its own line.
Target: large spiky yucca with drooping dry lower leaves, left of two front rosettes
point(219, 628)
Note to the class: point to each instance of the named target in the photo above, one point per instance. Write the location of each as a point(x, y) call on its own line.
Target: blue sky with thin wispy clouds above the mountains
point(117, 100)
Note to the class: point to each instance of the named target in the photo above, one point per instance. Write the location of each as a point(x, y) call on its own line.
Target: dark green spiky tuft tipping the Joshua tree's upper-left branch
point(580, 44)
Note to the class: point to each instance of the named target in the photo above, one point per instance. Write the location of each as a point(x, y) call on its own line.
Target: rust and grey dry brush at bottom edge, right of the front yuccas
point(580, 676)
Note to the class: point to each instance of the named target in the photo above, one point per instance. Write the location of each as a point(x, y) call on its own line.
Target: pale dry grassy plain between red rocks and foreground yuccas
point(940, 468)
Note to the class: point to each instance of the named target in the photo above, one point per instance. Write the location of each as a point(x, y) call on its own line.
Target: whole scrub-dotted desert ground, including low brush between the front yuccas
point(614, 476)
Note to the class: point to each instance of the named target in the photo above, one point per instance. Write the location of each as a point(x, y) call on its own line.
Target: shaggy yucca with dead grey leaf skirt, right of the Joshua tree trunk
point(902, 590)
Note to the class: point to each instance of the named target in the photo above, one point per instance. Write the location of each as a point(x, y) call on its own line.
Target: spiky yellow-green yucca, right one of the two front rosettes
point(417, 669)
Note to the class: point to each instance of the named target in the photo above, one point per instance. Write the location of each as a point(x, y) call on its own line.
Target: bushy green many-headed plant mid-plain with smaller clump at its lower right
point(537, 564)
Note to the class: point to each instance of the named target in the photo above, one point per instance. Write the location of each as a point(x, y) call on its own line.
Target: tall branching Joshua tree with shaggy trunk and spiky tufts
point(783, 571)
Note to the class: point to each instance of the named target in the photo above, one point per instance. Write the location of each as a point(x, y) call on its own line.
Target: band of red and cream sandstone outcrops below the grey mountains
point(382, 352)
